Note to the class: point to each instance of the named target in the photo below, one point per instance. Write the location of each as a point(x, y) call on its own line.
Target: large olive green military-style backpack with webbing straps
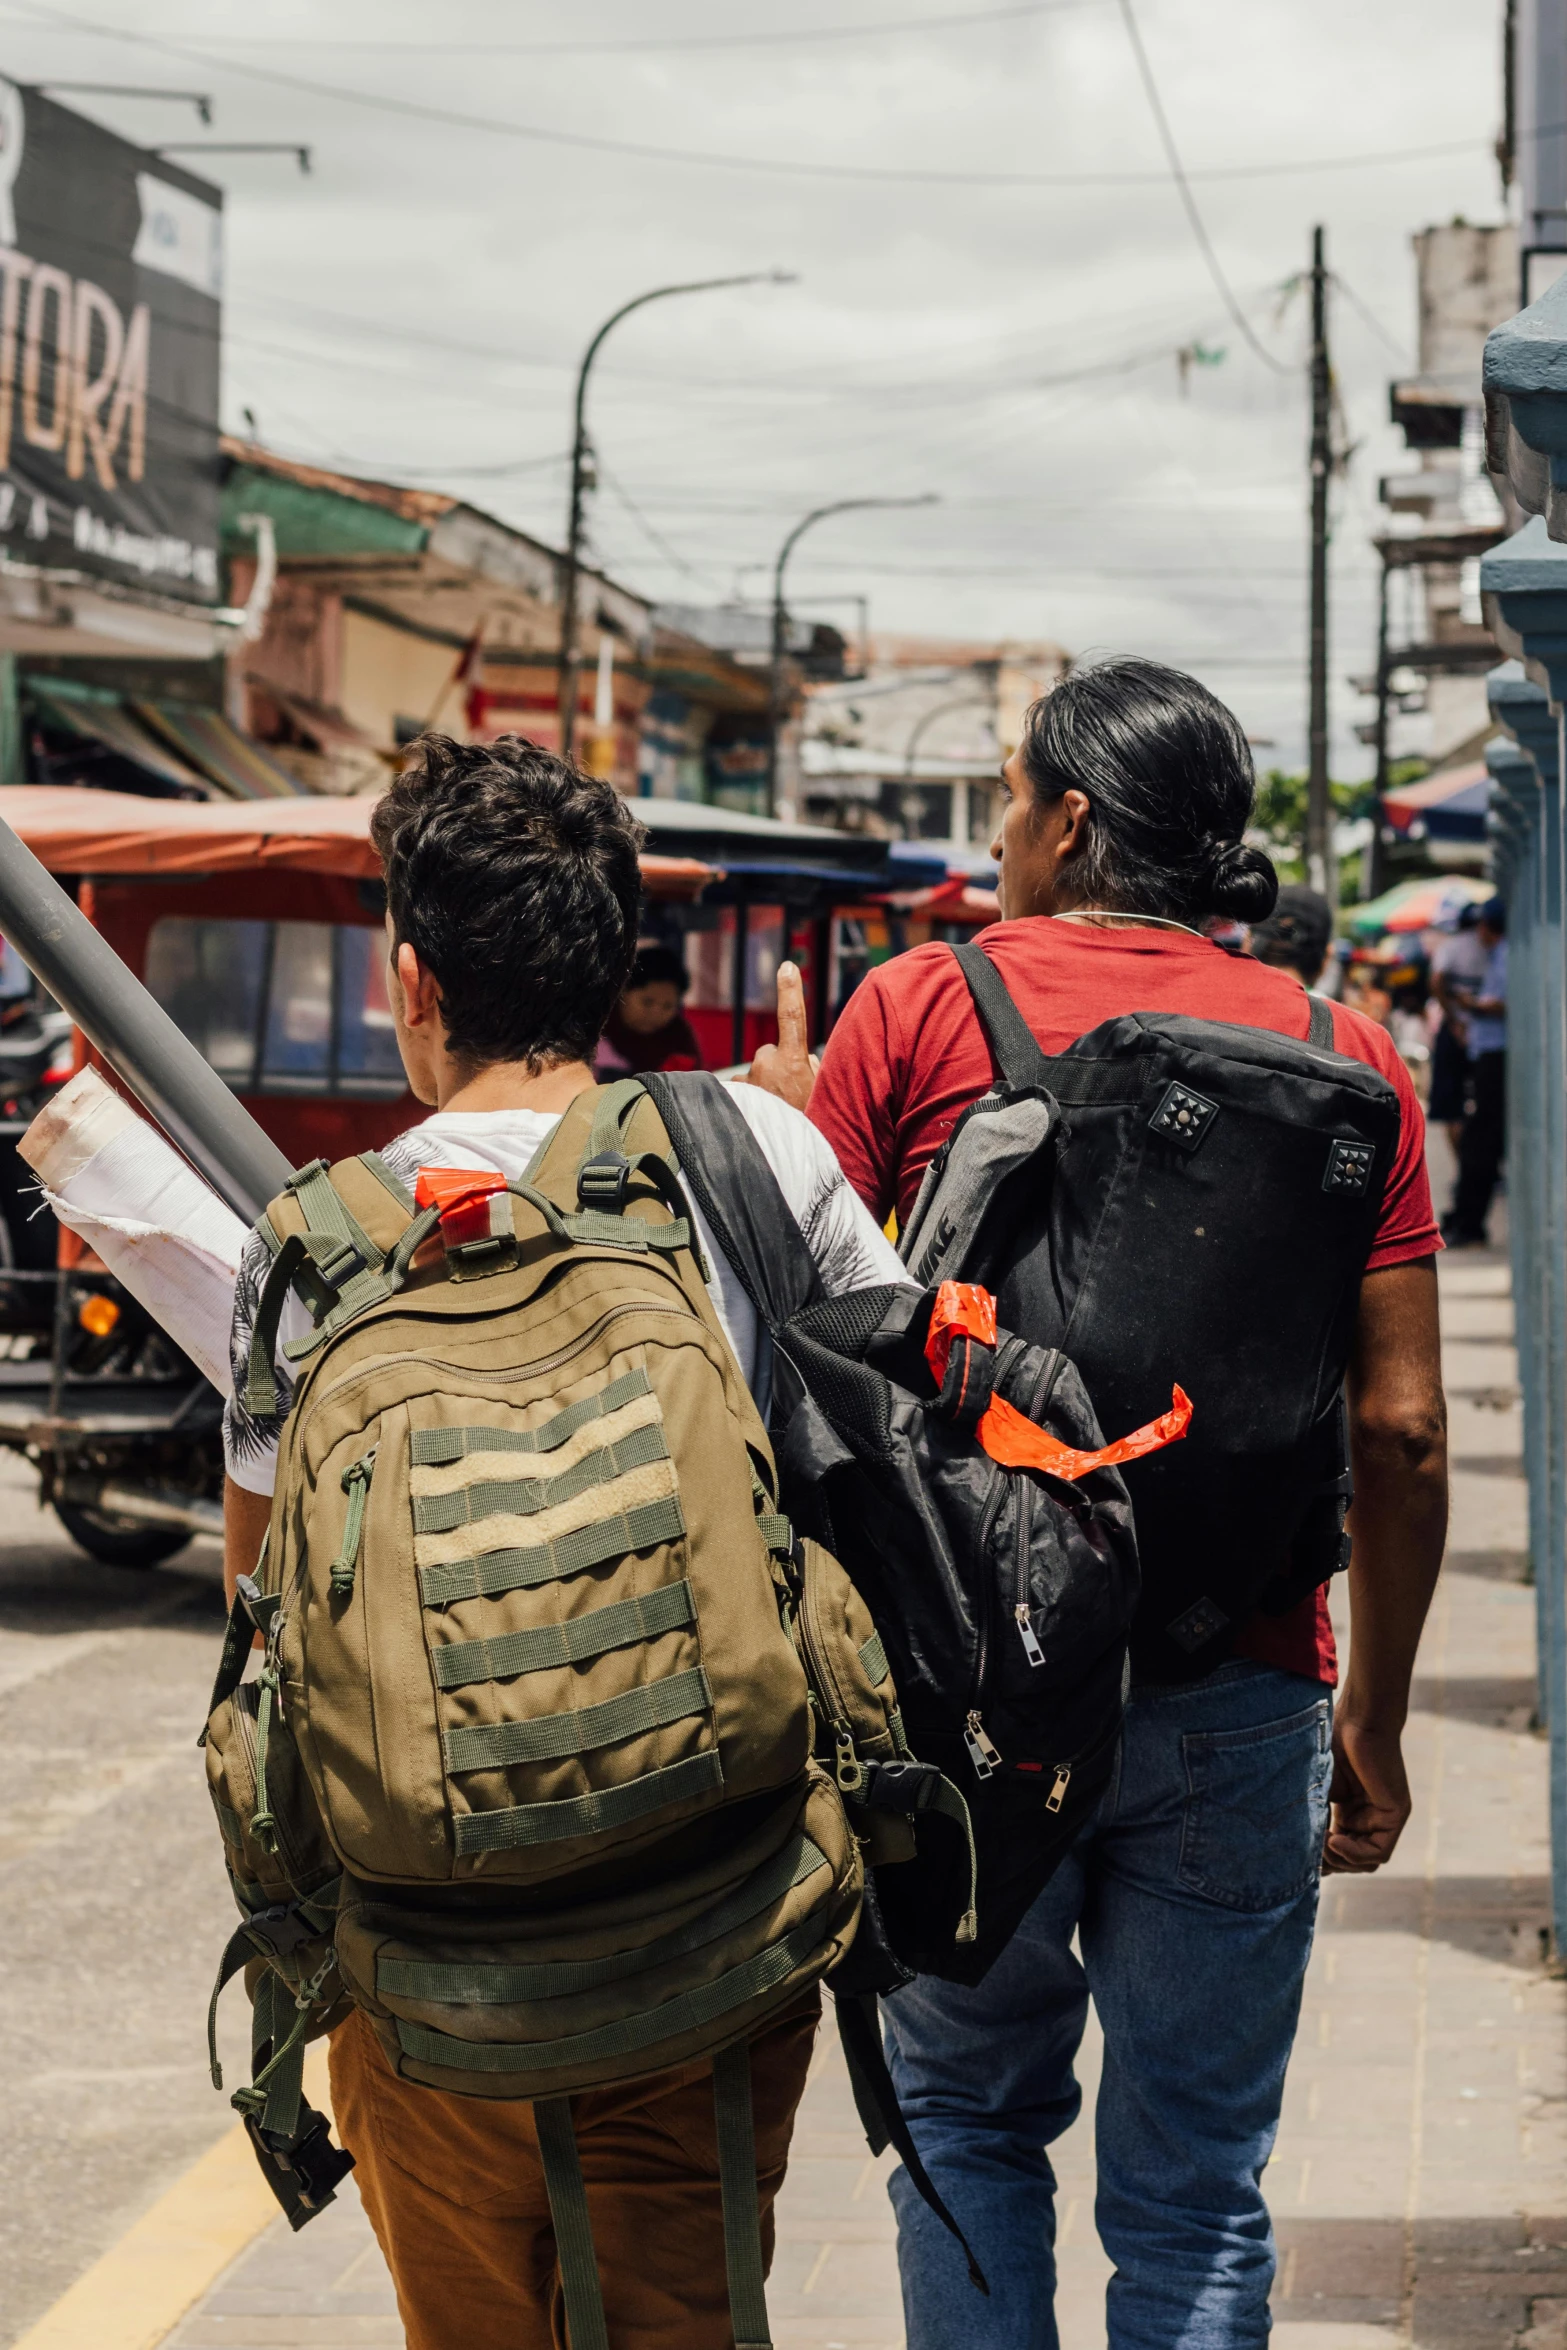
point(549, 1757)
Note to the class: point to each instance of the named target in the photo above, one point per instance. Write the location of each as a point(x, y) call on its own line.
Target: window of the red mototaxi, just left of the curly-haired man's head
point(281, 1007)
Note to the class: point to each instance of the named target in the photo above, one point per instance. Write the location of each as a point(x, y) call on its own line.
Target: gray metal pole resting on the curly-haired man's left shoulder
point(135, 1035)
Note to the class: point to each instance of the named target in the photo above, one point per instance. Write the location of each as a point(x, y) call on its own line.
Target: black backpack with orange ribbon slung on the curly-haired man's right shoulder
point(1002, 1597)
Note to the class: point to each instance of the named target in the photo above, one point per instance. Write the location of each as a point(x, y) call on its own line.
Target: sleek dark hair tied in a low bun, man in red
point(1169, 779)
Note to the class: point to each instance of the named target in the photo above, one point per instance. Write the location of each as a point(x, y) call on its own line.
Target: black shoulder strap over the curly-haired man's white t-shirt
point(729, 1179)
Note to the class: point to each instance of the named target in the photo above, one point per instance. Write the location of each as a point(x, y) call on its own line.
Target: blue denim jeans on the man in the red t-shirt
point(1192, 1895)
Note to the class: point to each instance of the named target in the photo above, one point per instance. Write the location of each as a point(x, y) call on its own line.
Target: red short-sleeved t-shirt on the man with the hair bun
point(910, 1056)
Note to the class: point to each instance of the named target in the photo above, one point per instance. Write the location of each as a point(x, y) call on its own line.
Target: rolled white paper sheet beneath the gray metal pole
point(147, 1214)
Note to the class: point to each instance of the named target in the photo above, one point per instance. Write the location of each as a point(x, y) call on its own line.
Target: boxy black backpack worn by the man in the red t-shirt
point(1183, 1200)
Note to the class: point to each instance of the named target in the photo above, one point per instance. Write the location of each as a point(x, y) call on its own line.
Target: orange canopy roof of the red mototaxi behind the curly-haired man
point(76, 831)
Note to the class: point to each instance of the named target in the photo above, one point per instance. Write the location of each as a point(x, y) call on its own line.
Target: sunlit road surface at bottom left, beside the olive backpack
point(112, 1893)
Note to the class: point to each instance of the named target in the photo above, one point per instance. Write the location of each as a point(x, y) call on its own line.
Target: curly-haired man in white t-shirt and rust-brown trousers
point(513, 899)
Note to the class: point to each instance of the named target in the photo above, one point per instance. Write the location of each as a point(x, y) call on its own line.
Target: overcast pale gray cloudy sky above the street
point(995, 274)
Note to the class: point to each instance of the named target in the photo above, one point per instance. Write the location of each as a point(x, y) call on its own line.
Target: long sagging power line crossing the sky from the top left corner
point(767, 166)
